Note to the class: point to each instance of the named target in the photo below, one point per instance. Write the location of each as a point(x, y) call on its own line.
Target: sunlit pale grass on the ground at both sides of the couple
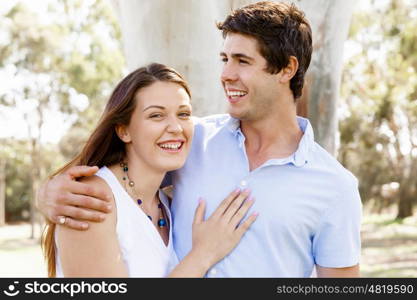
point(389, 248)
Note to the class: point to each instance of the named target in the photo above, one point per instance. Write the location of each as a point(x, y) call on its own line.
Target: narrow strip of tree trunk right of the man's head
point(330, 22)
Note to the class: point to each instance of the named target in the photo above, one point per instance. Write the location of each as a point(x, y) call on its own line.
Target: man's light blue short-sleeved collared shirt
point(308, 203)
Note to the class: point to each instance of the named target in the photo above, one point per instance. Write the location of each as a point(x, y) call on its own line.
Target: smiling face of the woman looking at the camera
point(160, 129)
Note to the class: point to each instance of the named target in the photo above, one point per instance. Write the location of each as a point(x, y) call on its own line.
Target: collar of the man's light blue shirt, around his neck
point(299, 158)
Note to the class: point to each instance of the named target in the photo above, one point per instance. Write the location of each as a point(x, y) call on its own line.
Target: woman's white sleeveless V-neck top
point(143, 250)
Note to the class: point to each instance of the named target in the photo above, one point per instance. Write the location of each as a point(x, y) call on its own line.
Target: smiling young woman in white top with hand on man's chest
point(145, 131)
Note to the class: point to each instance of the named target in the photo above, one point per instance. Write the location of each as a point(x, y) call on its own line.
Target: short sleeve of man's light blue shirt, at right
point(337, 243)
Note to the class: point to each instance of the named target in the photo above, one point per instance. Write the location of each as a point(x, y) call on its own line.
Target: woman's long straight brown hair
point(103, 147)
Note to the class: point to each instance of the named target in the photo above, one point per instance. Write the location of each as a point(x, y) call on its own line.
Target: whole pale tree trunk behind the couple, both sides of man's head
point(182, 34)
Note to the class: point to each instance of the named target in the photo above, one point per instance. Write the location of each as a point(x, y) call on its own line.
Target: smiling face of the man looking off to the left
point(252, 93)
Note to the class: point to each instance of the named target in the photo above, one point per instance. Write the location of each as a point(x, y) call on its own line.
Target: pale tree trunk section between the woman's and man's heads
point(181, 34)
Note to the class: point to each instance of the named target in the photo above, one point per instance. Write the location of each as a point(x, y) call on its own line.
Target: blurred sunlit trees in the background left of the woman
point(63, 61)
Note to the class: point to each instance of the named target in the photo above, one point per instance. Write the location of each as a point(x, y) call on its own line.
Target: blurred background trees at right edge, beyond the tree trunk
point(378, 119)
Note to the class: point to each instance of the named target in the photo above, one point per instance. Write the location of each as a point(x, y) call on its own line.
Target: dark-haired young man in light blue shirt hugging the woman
point(309, 206)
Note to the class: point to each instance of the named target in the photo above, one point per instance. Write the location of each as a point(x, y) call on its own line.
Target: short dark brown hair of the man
point(281, 31)
